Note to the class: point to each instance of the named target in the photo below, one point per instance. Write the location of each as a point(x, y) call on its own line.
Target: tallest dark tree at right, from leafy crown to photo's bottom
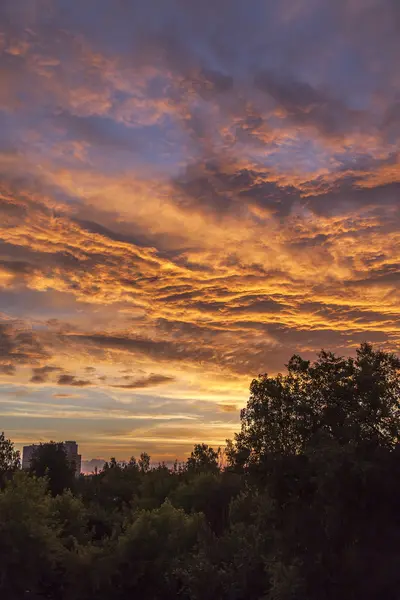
point(322, 441)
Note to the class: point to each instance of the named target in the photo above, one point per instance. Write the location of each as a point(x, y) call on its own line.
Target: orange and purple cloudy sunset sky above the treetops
point(190, 192)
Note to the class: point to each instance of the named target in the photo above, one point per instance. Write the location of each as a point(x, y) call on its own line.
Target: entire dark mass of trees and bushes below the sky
point(305, 507)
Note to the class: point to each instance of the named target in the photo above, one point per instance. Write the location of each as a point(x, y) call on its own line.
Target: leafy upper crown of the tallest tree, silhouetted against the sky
point(353, 401)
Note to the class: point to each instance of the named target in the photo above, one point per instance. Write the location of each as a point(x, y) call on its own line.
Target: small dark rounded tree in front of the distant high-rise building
point(50, 460)
